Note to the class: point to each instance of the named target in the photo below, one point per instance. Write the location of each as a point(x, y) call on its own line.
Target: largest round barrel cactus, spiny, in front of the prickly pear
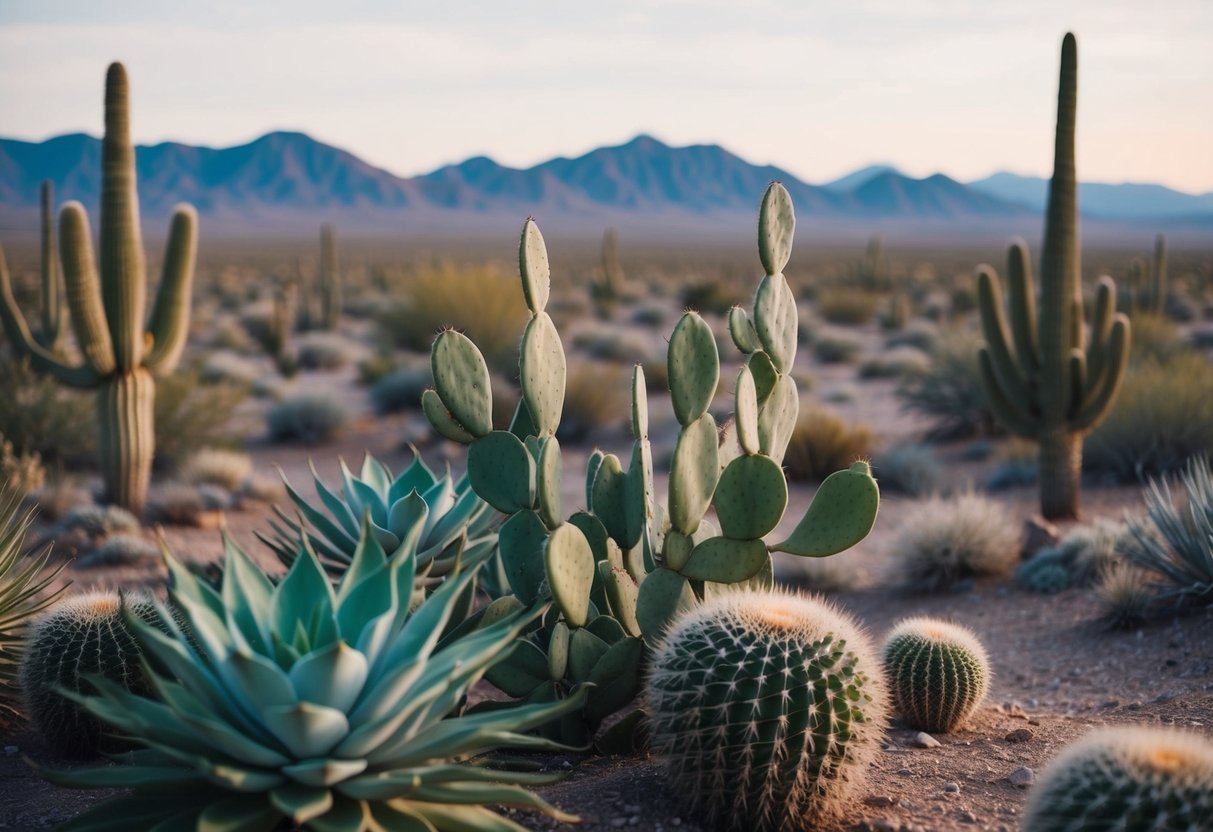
point(767, 709)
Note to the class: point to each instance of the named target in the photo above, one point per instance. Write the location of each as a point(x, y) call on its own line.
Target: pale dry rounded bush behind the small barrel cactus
point(944, 542)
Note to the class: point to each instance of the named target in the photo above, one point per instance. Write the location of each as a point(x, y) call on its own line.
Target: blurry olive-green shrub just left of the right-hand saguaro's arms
point(952, 391)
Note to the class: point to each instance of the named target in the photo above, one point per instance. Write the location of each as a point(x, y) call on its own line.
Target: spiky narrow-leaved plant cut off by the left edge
point(24, 595)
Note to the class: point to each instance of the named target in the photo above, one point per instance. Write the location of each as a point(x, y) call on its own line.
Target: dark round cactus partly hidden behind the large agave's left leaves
point(84, 635)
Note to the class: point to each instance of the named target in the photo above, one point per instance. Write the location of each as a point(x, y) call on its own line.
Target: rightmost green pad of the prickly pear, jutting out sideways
point(841, 515)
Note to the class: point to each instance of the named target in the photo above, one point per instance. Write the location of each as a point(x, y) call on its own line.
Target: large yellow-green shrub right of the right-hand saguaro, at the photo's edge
point(1163, 418)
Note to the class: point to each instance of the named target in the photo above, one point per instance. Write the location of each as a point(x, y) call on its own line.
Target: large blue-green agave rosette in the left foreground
point(317, 705)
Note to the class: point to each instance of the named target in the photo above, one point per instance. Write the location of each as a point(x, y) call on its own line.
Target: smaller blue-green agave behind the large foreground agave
point(333, 531)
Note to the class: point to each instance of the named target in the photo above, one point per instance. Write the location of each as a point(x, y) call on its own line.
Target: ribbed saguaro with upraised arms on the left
point(121, 357)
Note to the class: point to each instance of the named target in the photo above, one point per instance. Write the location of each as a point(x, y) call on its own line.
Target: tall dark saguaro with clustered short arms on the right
point(1044, 384)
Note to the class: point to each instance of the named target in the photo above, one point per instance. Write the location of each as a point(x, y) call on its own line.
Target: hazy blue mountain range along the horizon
point(288, 183)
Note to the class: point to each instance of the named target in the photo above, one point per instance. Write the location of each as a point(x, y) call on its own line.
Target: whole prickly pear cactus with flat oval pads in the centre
point(617, 574)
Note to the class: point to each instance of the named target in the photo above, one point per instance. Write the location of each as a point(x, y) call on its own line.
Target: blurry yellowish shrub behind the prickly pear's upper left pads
point(481, 303)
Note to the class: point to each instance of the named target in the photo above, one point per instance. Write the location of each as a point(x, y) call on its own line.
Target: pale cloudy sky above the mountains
point(819, 89)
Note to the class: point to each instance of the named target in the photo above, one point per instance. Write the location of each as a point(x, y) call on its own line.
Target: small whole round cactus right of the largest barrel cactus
point(938, 674)
